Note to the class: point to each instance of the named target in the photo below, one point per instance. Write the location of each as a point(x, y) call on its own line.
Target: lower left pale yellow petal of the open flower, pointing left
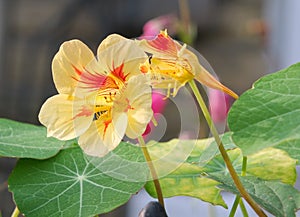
point(64, 117)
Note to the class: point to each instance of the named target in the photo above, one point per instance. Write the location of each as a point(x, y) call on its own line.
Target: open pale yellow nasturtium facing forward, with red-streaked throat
point(100, 99)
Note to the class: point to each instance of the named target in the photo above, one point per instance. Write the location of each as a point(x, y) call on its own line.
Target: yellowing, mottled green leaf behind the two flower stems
point(195, 176)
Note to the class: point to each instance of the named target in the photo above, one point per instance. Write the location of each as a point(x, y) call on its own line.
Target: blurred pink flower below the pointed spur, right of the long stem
point(219, 104)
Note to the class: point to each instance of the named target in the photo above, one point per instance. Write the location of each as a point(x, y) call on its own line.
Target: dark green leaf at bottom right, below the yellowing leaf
point(280, 199)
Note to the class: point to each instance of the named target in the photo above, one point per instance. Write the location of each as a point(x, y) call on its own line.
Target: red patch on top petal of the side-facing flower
point(164, 43)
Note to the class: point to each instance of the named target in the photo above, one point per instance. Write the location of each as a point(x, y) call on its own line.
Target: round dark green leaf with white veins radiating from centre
point(70, 185)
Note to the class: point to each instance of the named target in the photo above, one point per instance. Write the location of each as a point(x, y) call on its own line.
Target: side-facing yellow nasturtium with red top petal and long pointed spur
point(171, 65)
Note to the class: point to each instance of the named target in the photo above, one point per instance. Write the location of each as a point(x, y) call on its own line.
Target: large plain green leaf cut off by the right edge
point(268, 114)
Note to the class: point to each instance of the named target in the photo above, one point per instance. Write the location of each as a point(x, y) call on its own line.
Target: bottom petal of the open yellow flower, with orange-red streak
point(103, 136)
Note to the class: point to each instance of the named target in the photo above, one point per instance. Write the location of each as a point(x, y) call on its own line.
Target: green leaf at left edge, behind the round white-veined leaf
point(23, 140)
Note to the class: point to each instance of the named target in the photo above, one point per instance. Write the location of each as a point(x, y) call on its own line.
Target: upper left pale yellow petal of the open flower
point(68, 63)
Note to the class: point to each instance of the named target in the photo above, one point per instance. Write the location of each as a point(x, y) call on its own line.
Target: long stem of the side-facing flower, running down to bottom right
point(223, 152)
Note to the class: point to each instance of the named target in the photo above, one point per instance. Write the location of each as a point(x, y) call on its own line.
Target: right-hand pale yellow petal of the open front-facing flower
point(136, 101)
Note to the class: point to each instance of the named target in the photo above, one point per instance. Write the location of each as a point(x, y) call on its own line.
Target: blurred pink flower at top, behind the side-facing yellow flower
point(154, 26)
